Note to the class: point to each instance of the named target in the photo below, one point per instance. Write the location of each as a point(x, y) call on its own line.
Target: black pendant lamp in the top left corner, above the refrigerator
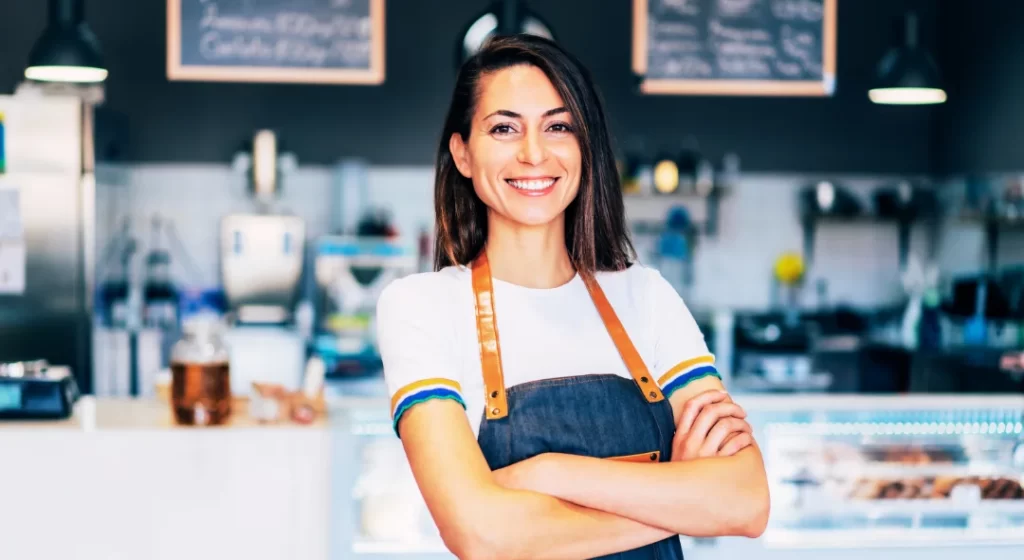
point(68, 51)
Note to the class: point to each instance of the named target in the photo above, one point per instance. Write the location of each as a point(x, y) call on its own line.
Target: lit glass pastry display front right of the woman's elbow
point(892, 470)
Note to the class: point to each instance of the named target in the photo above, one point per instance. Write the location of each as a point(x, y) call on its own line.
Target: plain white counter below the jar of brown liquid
point(120, 482)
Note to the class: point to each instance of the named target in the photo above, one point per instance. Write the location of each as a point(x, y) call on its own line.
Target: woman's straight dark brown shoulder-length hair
point(596, 237)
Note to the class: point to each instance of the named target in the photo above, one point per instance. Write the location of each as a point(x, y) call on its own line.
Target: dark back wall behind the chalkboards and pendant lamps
point(398, 123)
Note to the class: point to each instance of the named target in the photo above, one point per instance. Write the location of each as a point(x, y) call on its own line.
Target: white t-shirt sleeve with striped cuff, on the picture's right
point(681, 355)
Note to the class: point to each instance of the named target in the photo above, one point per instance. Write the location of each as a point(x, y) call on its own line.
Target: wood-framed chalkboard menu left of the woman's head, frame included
point(277, 41)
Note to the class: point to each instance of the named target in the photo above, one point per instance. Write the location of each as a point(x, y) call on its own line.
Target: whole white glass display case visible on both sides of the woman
point(940, 476)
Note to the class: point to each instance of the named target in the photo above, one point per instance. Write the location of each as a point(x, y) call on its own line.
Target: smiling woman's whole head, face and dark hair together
point(518, 113)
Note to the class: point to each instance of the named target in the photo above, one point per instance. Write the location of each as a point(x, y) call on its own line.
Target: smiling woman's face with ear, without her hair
point(523, 154)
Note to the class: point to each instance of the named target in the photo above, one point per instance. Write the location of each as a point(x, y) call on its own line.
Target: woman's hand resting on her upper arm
point(711, 425)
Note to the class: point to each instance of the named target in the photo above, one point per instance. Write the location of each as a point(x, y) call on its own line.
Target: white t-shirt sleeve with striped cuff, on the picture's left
point(416, 346)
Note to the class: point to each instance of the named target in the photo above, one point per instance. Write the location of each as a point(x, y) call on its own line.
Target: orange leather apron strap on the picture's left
point(487, 336)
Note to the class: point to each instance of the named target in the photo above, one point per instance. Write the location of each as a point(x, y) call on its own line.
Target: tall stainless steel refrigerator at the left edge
point(51, 184)
